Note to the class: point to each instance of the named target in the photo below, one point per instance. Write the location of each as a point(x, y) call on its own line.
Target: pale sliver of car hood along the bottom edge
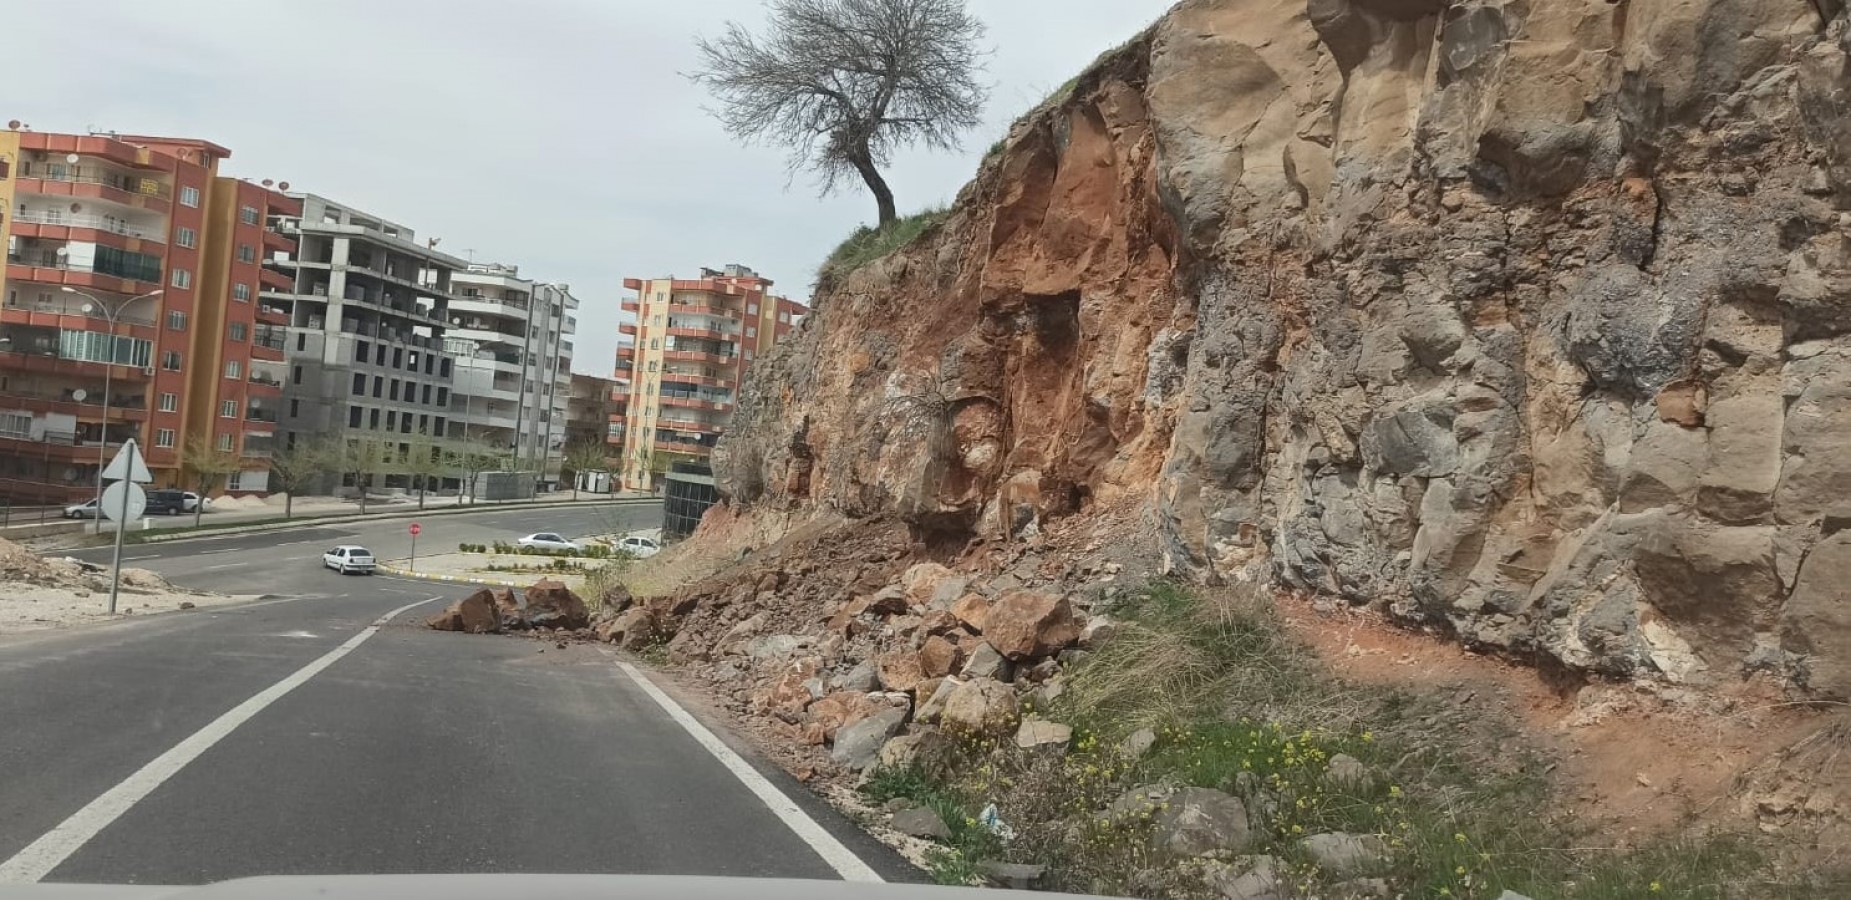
point(501, 888)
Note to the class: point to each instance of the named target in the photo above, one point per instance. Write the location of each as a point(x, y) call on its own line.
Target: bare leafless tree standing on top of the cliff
point(847, 82)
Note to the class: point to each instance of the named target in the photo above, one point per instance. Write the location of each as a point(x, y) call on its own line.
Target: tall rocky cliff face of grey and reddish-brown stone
point(1532, 319)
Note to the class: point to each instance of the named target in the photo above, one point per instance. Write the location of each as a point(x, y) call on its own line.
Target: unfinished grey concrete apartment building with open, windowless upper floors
point(367, 306)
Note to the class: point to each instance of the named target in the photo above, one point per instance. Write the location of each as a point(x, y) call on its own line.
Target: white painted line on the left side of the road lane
point(45, 855)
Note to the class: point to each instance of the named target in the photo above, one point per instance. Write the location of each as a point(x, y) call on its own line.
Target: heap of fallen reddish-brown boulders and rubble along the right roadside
point(849, 649)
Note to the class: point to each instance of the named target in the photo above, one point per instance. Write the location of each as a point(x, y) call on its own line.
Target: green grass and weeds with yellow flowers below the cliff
point(1456, 795)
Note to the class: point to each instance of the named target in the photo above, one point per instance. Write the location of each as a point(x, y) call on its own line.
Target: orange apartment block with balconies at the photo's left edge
point(103, 295)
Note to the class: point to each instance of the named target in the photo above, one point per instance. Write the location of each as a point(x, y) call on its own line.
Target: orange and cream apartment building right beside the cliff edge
point(689, 351)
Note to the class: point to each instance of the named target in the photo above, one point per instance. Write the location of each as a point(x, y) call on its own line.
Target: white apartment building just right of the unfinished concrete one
point(512, 342)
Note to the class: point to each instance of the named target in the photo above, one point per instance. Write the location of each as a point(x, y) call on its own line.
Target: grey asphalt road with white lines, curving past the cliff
point(412, 751)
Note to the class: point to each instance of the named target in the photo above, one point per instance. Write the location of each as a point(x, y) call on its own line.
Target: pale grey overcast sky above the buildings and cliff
point(554, 134)
